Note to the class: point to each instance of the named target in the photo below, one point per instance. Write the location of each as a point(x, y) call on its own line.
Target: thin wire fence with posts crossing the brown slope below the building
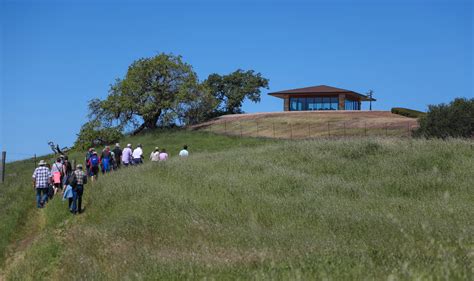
point(288, 130)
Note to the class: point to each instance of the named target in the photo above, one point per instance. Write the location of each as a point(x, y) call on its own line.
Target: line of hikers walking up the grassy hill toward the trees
point(49, 179)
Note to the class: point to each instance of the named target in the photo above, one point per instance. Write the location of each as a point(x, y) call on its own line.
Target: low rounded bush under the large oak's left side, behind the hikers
point(93, 134)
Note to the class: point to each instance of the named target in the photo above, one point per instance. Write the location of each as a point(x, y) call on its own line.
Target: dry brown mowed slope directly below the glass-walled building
point(312, 124)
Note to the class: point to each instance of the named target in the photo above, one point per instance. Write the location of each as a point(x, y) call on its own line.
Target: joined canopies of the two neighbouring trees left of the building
point(164, 89)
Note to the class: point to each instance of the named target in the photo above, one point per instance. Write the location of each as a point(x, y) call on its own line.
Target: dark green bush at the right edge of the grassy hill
point(448, 120)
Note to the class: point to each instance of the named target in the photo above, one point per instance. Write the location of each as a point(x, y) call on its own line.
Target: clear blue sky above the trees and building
point(57, 55)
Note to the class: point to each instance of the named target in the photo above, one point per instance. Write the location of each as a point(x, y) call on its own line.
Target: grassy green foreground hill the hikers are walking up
point(262, 209)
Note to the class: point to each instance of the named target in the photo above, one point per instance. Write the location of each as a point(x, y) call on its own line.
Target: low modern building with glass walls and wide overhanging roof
point(320, 98)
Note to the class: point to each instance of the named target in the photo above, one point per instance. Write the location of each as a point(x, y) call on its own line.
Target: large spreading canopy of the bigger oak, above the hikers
point(152, 89)
